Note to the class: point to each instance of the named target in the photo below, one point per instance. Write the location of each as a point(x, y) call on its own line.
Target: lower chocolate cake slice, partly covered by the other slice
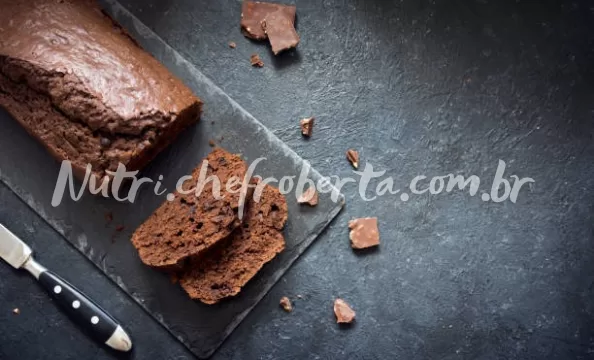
point(222, 272)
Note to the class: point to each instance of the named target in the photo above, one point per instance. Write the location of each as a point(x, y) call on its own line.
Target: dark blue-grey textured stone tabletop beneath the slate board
point(420, 88)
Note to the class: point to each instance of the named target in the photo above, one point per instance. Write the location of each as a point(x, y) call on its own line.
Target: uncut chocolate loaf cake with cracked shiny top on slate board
point(79, 84)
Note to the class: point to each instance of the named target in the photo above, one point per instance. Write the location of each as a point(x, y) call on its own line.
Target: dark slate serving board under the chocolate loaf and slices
point(31, 173)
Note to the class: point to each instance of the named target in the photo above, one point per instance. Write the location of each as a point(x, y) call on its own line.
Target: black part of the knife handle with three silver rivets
point(82, 310)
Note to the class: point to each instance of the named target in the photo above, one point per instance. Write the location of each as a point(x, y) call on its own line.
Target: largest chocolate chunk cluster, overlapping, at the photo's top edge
point(275, 22)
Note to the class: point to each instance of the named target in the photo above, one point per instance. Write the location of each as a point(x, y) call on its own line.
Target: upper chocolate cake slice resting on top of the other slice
point(189, 225)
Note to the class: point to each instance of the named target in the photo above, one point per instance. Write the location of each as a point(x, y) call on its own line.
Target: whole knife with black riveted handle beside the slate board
point(85, 312)
